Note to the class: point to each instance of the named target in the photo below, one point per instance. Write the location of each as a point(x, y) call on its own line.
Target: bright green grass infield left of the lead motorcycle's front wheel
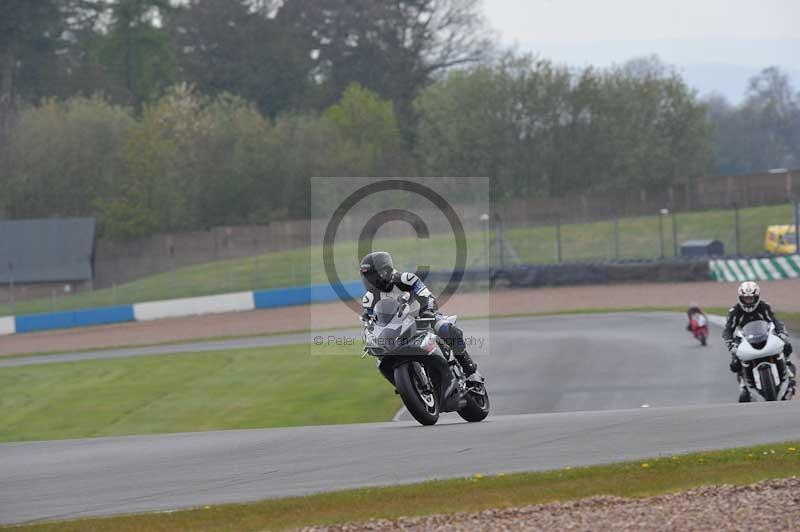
point(263, 387)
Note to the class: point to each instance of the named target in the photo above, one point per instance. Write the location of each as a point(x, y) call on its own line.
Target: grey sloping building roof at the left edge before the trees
point(46, 250)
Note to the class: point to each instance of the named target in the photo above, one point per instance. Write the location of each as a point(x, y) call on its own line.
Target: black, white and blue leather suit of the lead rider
point(409, 282)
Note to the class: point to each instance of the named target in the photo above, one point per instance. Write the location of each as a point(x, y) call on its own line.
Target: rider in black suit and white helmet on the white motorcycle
point(752, 308)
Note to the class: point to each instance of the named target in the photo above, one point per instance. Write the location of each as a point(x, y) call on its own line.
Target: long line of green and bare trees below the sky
point(157, 116)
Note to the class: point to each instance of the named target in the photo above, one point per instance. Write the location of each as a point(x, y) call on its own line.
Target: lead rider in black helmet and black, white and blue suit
point(381, 281)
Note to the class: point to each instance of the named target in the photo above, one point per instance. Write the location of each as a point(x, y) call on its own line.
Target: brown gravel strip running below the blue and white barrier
point(781, 294)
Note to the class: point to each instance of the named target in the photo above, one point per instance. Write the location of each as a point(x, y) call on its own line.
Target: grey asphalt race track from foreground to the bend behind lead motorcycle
point(659, 392)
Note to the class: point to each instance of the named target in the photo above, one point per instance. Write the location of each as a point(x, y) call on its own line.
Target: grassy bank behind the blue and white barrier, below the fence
point(639, 238)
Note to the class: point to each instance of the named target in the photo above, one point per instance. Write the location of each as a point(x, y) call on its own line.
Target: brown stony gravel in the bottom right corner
point(771, 505)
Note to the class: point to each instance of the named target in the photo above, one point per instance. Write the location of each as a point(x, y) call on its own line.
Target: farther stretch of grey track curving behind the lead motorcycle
point(552, 364)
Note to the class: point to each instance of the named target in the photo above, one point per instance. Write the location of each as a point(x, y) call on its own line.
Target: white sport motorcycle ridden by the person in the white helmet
point(764, 369)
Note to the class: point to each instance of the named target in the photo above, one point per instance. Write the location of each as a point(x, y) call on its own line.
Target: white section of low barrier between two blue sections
point(192, 306)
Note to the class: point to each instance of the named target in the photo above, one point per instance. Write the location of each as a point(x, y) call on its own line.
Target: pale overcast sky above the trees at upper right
point(718, 44)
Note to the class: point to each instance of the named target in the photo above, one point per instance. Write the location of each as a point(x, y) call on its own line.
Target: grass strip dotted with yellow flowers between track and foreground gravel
point(632, 479)
